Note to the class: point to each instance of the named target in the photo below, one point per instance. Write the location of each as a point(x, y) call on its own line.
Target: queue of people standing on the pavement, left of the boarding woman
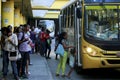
point(23, 39)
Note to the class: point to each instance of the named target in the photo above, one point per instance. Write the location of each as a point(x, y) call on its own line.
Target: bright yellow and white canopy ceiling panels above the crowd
point(47, 8)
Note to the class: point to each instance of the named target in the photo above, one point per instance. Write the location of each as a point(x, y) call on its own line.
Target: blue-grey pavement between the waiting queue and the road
point(39, 70)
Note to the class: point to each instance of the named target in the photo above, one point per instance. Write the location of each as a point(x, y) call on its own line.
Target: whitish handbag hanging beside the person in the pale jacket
point(14, 56)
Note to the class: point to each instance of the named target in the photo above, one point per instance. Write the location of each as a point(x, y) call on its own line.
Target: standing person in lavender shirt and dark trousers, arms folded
point(24, 47)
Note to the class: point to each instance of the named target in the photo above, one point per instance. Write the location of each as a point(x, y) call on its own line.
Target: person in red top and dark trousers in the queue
point(42, 37)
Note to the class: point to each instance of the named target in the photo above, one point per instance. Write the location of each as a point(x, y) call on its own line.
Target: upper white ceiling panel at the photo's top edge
point(46, 3)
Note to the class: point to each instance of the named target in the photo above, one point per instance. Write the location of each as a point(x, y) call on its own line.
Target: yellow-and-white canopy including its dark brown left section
point(39, 8)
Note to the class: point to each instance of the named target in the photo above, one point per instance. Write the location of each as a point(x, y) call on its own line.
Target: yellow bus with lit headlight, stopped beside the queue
point(93, 27)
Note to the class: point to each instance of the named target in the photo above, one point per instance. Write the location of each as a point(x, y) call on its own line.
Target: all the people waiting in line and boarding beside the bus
point(31, 41)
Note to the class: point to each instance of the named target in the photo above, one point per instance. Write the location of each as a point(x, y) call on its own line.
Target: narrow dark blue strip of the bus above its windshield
point(100, 1)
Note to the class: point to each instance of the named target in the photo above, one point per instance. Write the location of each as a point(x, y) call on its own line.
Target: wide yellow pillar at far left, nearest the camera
point(8, 13)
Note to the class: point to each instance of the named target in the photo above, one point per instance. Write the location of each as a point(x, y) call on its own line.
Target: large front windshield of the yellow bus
point(102, 22)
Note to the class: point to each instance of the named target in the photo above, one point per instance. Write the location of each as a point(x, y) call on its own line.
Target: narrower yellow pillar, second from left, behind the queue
point(17, 17)
